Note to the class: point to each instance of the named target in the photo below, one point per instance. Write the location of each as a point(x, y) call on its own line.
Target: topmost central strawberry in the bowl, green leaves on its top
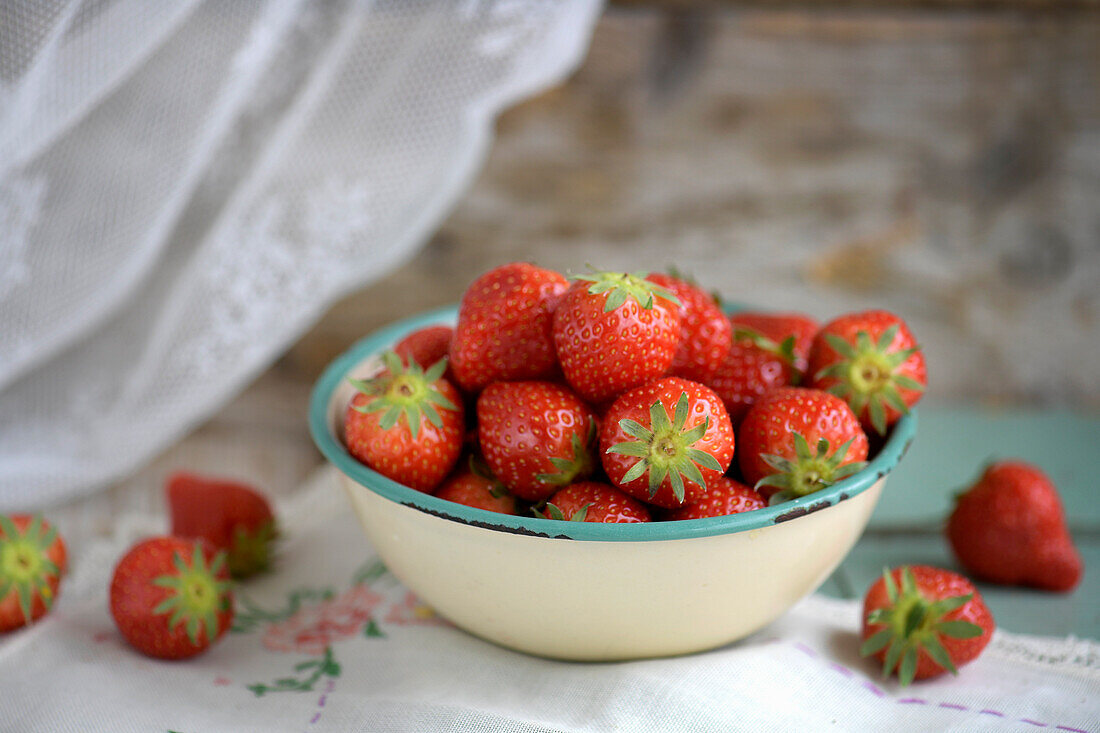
point(615, 332)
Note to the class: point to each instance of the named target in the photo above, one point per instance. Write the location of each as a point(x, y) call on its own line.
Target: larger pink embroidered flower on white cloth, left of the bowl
point(317, 627)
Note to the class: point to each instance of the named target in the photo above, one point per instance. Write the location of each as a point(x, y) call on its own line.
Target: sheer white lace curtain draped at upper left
point(186, 187)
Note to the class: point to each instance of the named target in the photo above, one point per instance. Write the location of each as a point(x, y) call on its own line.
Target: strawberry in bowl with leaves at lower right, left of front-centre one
point(536, 437)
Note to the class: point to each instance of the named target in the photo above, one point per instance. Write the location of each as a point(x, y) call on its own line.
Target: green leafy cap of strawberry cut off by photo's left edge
point(25, 564)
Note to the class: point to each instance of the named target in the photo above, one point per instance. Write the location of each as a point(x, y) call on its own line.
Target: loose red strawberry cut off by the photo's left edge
point(32, 562)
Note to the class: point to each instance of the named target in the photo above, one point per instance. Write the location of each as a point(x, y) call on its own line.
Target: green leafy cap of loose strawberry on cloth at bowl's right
point(914, 623)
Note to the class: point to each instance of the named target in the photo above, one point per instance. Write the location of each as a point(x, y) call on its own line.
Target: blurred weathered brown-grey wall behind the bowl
point(942, 165)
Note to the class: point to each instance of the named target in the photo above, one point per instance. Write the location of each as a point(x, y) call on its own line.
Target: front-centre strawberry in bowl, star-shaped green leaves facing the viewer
point(666, 442)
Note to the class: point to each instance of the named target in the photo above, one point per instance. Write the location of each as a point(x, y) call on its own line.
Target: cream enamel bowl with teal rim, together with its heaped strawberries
point(614, 466)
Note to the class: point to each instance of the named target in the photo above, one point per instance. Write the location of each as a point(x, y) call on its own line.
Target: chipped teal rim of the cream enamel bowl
point(888, 457)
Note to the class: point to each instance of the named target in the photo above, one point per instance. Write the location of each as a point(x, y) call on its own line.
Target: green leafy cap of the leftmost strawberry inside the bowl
point(405, 390)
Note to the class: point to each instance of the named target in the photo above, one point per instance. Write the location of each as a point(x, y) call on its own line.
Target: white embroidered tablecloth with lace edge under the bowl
point(333, 642)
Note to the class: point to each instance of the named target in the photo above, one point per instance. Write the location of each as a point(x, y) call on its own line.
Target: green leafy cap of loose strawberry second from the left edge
point(195, 597)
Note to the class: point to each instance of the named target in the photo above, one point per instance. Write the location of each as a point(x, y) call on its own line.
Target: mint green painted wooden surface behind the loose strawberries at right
point(950, 451)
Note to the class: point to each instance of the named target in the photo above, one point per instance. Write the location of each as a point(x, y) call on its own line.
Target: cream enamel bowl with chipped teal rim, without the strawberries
point(595, 592)
